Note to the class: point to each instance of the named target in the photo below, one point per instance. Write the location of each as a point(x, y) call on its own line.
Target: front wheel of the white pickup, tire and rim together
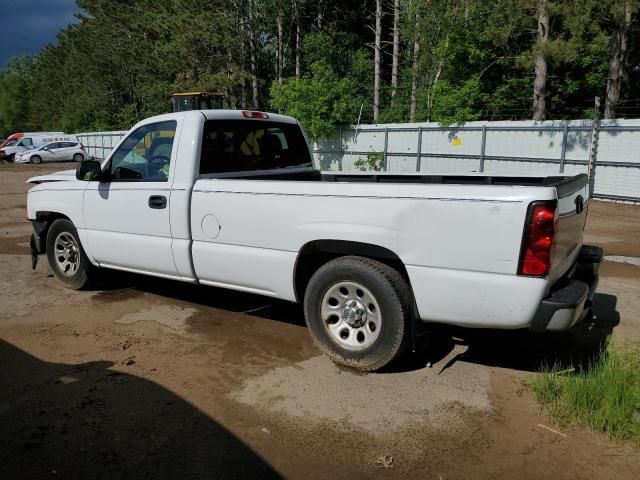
point(66, 256)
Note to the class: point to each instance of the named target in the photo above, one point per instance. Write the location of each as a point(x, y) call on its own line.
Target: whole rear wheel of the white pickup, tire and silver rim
point(358, 312)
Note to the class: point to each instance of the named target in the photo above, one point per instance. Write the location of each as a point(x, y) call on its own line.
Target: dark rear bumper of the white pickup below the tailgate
point(571, 297)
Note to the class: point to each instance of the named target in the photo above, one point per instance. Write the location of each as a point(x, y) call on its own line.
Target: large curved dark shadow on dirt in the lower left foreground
point(88, 421)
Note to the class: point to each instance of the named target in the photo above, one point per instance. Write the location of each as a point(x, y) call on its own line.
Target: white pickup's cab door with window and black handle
point(127, 215)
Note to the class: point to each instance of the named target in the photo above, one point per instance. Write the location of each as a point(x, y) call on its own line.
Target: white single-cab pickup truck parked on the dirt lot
point(231, 199)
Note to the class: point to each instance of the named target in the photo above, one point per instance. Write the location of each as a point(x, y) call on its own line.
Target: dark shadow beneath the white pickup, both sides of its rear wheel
point(514, 349)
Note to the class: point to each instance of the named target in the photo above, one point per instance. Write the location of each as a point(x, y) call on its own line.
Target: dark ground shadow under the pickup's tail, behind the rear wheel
point(519, 349)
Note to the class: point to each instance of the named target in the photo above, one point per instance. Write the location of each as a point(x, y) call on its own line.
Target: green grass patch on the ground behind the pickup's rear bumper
point(604, 395)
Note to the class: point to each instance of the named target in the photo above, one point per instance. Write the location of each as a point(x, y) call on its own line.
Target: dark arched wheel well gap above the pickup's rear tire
point(318, 252)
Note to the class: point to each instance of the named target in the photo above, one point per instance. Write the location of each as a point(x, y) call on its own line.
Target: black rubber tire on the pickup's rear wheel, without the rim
point(391, 293)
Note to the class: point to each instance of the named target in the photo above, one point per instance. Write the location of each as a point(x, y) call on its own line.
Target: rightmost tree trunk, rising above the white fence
point(618, 62)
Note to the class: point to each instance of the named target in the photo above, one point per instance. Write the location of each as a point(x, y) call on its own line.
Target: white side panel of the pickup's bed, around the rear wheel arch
point(247, 234)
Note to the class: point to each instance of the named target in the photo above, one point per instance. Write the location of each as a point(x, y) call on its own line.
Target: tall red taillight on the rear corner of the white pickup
point(535, 259)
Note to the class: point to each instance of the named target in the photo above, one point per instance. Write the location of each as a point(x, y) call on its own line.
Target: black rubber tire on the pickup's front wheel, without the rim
point(86, 273)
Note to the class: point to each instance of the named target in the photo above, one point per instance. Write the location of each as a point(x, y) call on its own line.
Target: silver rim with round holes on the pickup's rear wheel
point(351, 315)
